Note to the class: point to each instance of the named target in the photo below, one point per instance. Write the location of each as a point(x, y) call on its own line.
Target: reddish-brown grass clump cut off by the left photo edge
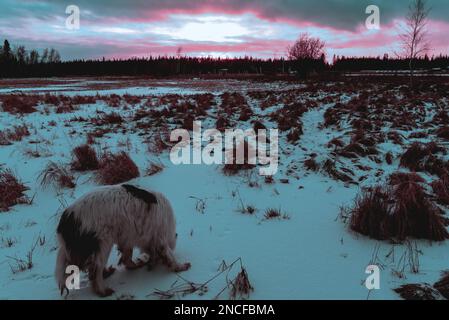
point(11, 190)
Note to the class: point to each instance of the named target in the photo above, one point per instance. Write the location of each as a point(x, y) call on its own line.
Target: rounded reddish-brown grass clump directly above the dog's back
point(116, 168)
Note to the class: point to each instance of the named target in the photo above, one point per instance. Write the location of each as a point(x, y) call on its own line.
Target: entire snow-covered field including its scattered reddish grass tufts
point(309, 253)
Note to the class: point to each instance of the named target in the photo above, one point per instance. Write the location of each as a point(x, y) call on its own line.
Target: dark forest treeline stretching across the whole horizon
point(19, 62)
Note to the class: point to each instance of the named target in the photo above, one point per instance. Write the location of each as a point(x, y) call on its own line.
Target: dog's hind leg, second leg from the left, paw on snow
point(96, 271)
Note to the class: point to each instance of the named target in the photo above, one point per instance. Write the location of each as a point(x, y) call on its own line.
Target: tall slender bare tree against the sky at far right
point(415, 42)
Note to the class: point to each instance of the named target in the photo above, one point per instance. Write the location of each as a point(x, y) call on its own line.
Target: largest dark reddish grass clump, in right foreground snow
point(399, 212)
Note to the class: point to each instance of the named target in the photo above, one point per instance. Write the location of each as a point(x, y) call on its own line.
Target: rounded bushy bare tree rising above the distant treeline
point(306, 47)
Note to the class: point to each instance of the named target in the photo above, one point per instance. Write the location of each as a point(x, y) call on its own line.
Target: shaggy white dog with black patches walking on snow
point(123, 215)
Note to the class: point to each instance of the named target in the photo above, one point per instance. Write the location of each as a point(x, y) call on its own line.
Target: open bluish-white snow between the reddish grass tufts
point(311, 255)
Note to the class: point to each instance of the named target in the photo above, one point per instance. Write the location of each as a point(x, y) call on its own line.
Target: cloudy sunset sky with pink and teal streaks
point(261, 28)
